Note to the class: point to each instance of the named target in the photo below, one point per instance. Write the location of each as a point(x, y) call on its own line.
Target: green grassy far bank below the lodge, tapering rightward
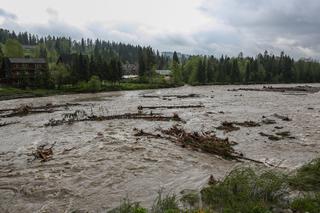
point(7, 93)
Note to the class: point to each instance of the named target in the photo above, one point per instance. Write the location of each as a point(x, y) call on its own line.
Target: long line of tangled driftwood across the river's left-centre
point(81, 116)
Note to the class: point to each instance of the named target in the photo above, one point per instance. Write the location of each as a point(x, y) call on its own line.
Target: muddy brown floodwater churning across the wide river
point(96, 163)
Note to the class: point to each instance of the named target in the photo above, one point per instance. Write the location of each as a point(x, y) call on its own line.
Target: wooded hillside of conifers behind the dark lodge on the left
point(84, 58)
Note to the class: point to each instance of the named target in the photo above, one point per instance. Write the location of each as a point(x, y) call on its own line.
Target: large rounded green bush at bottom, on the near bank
point(246, 191)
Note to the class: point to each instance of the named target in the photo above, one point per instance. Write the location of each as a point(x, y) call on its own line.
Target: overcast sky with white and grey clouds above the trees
point(189, 26)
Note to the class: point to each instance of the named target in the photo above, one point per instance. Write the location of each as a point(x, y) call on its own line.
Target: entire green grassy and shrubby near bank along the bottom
point(245, 190)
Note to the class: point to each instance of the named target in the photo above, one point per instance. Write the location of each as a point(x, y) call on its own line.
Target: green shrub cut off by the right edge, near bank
point(307, 177)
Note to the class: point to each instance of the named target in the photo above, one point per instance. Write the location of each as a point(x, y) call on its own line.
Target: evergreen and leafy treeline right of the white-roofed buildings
point(266, 68)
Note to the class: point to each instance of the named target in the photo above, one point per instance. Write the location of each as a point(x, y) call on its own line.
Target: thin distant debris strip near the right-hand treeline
point(300, 89)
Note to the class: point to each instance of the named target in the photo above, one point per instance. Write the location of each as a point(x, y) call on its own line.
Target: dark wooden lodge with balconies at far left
point(14, 69)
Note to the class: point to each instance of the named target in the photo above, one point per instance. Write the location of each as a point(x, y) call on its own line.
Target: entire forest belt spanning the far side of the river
point(104, 59)
